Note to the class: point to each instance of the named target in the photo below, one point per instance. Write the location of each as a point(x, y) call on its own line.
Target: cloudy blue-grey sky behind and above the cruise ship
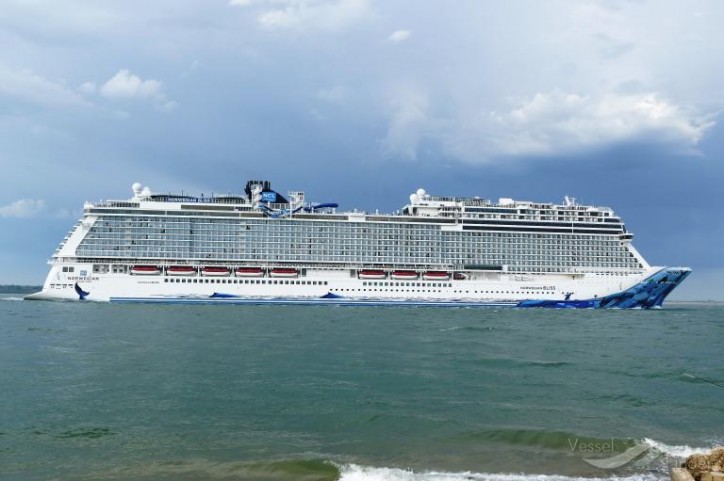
point(362, 102)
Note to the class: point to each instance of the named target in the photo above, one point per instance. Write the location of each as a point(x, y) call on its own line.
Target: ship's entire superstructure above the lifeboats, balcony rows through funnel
point(264, 227)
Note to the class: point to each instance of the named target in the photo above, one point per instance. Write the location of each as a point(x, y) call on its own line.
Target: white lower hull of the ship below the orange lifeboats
point(478, 288)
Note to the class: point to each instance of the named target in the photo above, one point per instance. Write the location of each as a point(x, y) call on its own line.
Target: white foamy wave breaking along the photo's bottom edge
point(354, 472)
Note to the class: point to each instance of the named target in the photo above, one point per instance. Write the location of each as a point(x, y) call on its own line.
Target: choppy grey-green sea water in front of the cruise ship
point(151, 392)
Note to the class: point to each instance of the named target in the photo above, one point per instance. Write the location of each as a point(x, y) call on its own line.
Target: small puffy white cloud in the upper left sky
point(125, 85)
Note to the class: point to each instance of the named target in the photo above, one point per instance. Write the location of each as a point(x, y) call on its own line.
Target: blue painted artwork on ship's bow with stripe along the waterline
point(645, 295)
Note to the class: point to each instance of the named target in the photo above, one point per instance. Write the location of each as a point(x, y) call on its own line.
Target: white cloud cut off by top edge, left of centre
point(326, 15)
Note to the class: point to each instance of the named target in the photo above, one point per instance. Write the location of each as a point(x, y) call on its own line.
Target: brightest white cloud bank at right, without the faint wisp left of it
point(557, 122)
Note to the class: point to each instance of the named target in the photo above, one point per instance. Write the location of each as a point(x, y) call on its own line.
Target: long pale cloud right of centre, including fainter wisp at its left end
point(546, 124)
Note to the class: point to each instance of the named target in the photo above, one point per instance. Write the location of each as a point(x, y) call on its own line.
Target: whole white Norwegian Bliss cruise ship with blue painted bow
point(262, 247)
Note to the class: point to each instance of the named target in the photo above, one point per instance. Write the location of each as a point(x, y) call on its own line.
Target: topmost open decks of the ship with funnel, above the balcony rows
point(422, 207)
